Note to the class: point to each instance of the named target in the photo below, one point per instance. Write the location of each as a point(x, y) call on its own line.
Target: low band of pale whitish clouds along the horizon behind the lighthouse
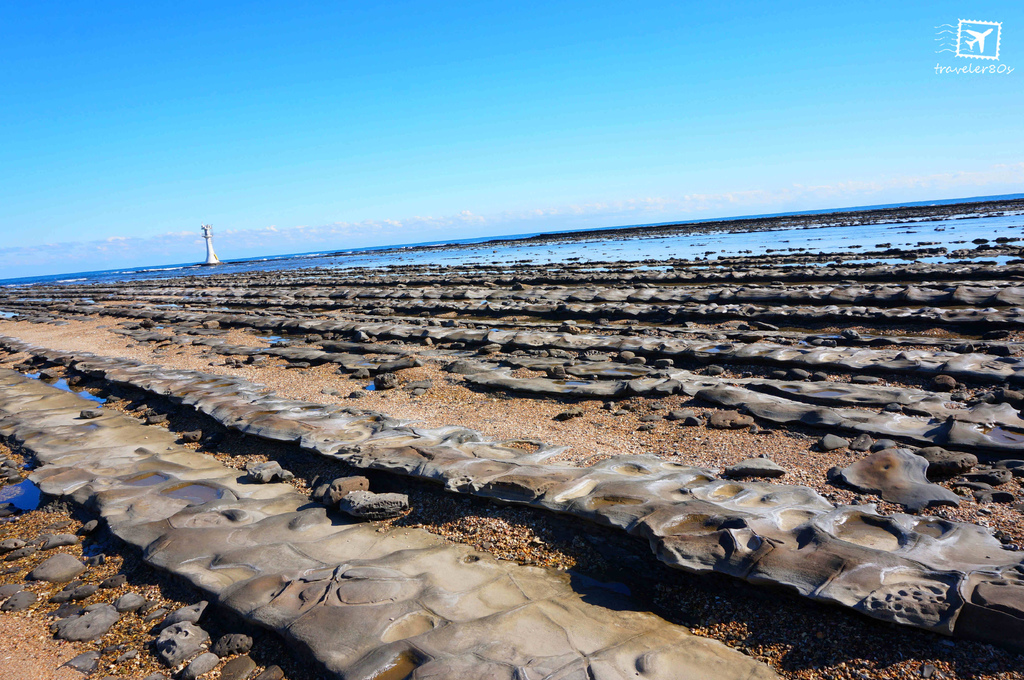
point(186, 246)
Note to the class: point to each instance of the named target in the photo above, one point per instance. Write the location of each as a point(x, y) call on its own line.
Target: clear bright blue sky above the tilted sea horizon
point(314, 126)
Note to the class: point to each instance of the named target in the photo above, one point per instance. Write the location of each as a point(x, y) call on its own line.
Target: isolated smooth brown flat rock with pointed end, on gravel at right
point(899, 477)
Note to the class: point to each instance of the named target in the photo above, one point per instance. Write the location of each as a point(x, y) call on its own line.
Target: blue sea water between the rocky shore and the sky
point(953, 234)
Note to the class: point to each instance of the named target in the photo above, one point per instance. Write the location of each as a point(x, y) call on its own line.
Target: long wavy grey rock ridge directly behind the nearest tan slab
point(719, 526)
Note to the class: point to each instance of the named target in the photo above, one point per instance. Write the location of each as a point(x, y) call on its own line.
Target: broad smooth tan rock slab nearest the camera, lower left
point(362, 602)
